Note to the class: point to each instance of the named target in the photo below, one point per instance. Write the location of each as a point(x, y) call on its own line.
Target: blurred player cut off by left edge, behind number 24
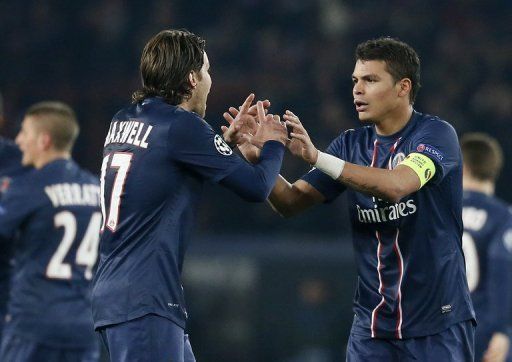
point(10, 166)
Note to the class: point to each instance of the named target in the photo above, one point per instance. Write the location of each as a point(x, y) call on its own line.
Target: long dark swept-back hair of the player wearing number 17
point(167, 60)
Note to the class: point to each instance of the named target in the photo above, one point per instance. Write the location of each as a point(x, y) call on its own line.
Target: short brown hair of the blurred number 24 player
point(59, 120)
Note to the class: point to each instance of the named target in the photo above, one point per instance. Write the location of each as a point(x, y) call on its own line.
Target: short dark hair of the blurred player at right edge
point(482, 155)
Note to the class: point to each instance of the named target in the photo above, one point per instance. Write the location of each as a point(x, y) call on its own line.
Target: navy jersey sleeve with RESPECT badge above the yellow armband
point(439, 142)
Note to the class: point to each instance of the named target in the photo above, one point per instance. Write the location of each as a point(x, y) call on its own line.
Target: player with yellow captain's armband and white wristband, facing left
point(403, 173)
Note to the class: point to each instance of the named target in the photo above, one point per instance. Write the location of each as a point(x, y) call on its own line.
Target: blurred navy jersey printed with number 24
point(55, 213)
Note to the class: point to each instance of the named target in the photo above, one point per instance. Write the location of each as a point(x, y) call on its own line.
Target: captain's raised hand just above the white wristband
point(300, 143)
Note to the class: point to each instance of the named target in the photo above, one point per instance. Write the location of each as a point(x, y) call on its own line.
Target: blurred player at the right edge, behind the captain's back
point(487, 244)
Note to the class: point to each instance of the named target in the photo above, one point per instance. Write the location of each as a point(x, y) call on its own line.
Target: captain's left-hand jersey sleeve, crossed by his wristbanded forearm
point(328, 187)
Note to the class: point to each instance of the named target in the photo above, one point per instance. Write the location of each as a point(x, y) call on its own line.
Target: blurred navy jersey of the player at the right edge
point(487, 244)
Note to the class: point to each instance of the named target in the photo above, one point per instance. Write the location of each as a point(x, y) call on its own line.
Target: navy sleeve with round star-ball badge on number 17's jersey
point(192, 142)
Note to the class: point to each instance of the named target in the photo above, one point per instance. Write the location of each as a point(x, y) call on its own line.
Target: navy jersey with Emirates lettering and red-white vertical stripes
point(409, 256)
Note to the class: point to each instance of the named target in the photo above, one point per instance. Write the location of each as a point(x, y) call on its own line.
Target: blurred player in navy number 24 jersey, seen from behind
point(53, 212)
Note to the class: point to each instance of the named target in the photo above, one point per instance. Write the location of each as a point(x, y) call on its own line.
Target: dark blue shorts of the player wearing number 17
point(148, 338)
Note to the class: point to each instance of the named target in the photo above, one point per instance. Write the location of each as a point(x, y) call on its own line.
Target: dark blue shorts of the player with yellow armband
point(454, 344)
